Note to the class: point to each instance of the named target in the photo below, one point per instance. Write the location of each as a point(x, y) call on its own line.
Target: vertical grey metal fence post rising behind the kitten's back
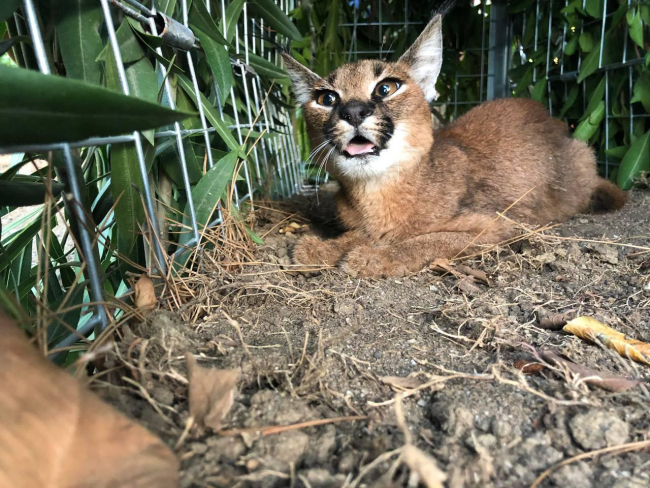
point(499, 50)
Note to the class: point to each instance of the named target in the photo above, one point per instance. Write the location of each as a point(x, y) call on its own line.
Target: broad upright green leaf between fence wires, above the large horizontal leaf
point(77, 31)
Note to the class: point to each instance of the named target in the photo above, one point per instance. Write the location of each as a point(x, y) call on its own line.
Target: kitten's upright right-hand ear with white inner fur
point(424, 58)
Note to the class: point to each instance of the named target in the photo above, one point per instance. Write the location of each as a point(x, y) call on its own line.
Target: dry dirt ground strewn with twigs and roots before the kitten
point(321, 346)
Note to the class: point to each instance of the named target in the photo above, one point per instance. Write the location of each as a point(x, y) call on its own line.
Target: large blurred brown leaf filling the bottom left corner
point(58, 434)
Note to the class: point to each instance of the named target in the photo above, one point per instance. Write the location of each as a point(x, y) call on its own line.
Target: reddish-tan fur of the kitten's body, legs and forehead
point(443, 195)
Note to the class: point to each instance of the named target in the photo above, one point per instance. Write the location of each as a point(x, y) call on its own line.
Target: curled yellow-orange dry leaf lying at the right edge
point(591, 329)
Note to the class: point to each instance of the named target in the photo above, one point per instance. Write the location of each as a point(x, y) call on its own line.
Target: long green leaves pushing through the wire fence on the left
point(84, 98)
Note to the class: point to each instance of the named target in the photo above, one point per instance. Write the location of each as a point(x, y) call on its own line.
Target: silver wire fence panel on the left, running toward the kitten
point(273, 168)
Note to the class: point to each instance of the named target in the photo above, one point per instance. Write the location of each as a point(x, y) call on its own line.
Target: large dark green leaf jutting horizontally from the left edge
point(38, 109)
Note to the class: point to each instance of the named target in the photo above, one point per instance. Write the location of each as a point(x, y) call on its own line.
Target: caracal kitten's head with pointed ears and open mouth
point(368, 118)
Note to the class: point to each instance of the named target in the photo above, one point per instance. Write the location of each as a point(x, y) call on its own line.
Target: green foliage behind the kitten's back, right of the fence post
point(597, 83)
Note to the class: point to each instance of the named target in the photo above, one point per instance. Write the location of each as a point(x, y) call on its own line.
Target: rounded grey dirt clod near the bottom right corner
point(598, 429)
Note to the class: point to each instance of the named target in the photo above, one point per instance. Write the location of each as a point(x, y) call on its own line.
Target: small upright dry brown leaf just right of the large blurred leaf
point(212, 392)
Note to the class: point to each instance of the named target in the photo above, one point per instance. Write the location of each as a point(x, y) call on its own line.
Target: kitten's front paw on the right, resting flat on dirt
point(372, 262)
